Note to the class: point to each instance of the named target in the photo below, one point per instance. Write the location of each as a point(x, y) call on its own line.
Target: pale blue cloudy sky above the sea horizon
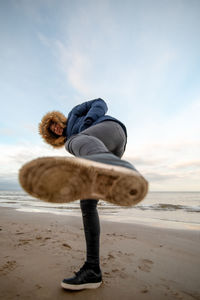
point(142, 57)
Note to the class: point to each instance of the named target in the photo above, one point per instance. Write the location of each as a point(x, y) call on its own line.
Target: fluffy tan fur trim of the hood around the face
point(48, 137)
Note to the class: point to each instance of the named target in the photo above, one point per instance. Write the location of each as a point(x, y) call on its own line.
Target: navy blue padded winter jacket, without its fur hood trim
point(87, 114)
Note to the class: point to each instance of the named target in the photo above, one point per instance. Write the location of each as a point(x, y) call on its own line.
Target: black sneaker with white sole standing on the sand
point(85, 278)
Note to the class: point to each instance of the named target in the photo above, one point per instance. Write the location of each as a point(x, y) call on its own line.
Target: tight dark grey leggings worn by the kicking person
point(107, 136)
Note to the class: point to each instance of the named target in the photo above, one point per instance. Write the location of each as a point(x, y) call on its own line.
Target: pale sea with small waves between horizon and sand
point(180, 210)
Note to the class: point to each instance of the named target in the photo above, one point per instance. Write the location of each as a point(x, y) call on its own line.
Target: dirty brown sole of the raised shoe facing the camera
point(66, 179)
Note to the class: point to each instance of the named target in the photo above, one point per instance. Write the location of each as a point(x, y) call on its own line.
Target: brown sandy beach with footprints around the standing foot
point(138, 262)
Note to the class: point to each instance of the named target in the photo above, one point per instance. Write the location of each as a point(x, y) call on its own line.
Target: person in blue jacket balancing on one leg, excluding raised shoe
point(86, 131)
